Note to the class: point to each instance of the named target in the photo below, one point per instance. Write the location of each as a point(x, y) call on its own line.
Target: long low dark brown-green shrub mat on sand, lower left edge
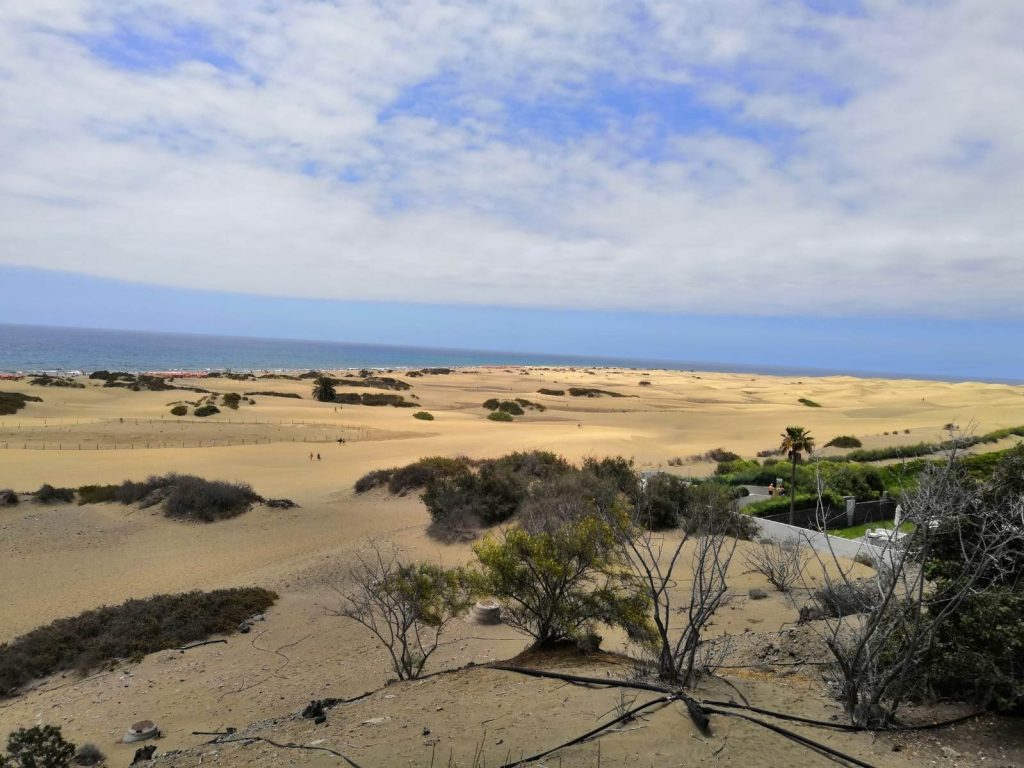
point(131, 630)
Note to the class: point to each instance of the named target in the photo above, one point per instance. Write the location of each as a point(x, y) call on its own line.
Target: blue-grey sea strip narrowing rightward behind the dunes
point(36, 349)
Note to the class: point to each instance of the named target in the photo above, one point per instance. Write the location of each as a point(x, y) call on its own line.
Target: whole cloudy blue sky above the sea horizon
point(682, 175)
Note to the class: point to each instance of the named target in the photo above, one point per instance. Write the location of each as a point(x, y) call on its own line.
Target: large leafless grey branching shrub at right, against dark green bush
point(884, 643)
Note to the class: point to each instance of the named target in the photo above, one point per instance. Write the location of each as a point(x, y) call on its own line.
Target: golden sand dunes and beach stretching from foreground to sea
point(58, 562)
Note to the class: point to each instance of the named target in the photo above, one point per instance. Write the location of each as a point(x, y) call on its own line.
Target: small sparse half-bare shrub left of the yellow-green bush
point(407, 607)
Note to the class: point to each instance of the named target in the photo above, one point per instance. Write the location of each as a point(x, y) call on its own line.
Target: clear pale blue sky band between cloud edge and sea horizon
point(899, 346)
